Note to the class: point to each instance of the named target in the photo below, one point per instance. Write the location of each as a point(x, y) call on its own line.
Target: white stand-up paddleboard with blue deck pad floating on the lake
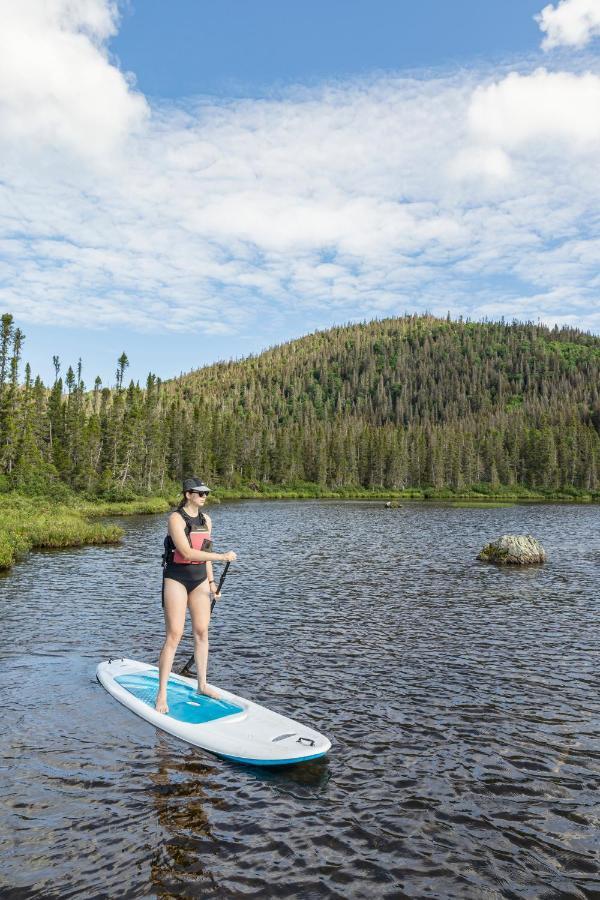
point(231, 727)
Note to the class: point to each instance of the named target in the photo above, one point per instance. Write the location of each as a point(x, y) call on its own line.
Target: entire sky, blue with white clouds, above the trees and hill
point(193, 181)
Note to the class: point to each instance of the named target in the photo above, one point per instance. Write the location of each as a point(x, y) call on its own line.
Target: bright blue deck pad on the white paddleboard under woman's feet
point(185, 704)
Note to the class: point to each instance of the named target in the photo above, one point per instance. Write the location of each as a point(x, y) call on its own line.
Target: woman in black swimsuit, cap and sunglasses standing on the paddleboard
point(188, 582)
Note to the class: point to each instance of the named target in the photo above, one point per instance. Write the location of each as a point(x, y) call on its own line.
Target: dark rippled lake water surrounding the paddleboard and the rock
point(463, 702)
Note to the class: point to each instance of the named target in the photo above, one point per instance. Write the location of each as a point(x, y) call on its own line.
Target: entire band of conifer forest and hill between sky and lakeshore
point(403, 403)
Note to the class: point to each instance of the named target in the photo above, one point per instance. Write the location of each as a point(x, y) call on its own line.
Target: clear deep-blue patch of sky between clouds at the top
point(240, 48)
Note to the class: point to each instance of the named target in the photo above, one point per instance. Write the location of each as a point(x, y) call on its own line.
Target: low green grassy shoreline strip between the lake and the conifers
point(28, 523)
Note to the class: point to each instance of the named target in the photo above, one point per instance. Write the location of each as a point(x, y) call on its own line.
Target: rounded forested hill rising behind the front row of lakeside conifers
point(413, 371)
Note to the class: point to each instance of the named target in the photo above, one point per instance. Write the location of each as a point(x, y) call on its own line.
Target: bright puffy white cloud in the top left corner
point(57, 85)
